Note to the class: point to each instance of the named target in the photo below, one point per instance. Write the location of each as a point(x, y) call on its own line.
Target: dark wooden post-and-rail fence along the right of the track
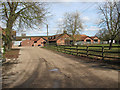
point(100, 52)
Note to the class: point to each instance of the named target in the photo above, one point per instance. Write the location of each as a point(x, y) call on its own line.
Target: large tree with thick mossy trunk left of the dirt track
point(22, 15)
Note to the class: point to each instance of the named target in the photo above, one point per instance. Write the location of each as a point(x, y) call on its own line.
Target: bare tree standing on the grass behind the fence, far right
point(110, 20)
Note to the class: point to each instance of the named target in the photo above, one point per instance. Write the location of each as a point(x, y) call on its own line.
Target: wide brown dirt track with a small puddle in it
point(41, 68)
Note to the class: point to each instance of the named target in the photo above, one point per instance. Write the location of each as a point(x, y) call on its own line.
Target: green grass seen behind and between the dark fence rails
point(107, 52)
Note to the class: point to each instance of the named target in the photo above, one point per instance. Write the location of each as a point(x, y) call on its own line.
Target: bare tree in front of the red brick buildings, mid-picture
point(72, 24)
